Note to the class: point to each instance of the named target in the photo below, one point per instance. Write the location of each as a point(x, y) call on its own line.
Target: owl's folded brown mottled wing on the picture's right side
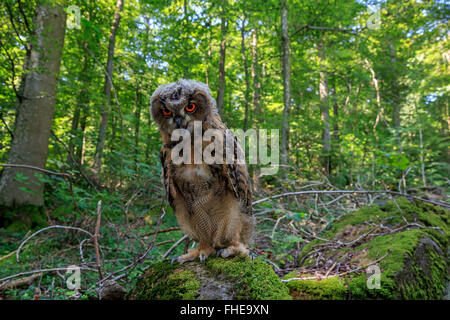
point(239, 179)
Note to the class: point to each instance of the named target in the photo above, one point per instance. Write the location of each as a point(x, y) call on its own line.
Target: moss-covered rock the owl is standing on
point(218, 278)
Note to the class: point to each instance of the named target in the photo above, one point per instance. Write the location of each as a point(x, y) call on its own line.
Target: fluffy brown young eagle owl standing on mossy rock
point(212, 202)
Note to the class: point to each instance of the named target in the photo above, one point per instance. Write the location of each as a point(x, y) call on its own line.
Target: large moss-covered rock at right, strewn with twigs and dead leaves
point(415, 263)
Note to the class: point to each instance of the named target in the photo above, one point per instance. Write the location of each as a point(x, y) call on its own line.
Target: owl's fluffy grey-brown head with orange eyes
point(178, 104)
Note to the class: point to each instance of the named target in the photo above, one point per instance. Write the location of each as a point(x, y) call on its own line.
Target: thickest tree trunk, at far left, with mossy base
point(35, 112)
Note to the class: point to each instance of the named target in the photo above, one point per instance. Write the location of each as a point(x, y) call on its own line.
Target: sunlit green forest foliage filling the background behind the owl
point(372, 74)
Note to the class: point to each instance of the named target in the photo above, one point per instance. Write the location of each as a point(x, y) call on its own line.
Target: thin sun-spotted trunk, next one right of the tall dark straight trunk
point(324, 111)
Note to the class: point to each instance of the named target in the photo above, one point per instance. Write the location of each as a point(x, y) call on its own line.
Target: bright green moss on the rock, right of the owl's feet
point(253, 279)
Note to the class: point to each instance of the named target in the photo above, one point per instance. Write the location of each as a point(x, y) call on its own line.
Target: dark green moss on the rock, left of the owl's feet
point(163, 281)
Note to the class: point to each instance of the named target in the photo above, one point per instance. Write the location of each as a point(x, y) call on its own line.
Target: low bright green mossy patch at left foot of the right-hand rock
point(326, 289)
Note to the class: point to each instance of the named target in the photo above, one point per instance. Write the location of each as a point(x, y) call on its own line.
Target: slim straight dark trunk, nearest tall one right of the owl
point(286, 64)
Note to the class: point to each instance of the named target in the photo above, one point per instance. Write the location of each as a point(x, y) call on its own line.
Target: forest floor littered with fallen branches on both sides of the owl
point(116, 242)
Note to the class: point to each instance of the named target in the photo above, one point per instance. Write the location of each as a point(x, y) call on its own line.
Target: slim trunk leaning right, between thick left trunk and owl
point(107, 89)
